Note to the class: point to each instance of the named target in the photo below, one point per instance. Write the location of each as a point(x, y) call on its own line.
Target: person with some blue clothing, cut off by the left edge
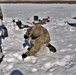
point(3, 35)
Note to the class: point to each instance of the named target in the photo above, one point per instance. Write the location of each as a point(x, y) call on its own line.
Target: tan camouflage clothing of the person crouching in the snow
point(42, 35)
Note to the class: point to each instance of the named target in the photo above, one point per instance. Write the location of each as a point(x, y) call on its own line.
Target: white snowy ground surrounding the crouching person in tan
point(63, 37)
